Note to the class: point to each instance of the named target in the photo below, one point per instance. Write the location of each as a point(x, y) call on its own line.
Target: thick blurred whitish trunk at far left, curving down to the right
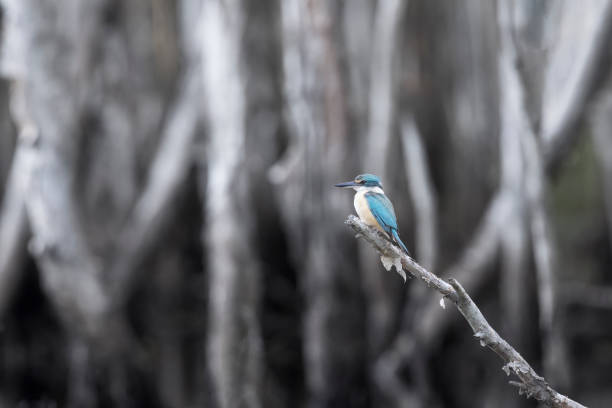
point(48, 140)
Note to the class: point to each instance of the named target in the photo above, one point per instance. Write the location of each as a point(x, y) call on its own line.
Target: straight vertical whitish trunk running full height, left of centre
point(234, 346)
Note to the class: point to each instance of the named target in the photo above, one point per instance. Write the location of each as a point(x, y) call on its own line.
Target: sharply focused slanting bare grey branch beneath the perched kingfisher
point(530, 383)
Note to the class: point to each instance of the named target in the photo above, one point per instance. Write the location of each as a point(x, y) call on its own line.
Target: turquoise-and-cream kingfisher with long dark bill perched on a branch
point(373, 207)
